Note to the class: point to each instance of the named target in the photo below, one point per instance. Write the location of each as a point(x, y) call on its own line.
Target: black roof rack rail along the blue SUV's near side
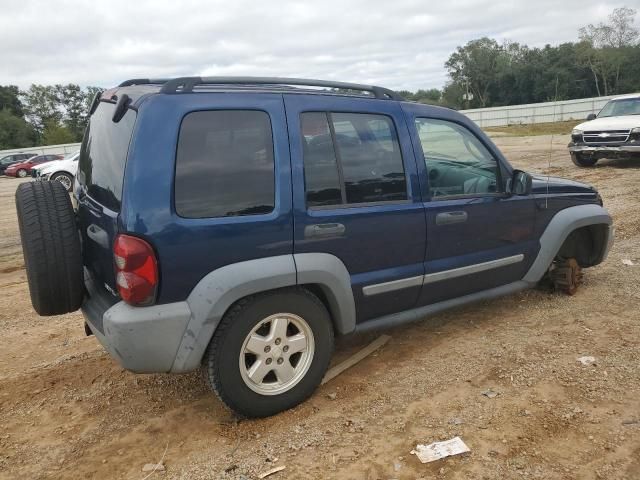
point(186, 84)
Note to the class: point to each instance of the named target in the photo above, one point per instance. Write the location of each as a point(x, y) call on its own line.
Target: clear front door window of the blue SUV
point(457, 162)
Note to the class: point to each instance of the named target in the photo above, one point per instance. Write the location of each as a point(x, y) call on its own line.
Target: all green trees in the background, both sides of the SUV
point(605, 60)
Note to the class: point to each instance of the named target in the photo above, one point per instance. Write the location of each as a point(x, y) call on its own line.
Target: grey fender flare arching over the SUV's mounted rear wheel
point(220, 289)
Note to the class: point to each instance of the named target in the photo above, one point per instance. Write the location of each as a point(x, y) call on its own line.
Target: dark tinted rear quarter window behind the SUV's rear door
point(225, 164)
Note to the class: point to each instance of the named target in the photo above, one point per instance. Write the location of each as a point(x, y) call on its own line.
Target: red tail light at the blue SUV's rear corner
point(136, 270)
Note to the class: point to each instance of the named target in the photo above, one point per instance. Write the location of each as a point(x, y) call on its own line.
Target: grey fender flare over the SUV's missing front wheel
point(561, 225)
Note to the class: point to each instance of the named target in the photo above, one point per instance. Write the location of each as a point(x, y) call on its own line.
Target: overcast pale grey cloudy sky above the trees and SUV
point(399, 44)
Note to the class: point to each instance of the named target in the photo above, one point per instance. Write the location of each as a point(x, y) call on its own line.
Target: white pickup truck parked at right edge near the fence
point(612, 133)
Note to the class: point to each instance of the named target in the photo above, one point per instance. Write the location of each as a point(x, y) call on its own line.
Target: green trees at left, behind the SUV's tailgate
point(43, 114)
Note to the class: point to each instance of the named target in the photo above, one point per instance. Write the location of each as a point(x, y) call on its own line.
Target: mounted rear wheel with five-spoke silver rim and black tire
point(228, 362)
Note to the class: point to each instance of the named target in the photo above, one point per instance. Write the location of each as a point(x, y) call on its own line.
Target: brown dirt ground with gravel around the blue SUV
point(67, 410)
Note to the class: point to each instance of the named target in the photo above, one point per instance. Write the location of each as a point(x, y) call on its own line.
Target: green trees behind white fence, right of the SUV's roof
point(485, 73)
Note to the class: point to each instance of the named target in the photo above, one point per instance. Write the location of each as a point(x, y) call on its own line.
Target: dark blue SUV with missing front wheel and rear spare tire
point(239, 224)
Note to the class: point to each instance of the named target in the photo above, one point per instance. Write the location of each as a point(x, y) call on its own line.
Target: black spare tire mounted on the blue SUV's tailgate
point(51, 247)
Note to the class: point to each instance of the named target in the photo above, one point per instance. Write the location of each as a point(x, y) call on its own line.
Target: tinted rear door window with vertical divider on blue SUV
point(351, 158)
